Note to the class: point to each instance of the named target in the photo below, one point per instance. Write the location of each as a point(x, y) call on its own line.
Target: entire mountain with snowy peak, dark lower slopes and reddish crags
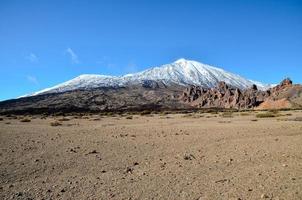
point(183, 84)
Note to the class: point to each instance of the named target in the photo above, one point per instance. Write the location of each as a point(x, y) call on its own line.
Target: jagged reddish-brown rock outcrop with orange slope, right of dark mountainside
point(224, 96)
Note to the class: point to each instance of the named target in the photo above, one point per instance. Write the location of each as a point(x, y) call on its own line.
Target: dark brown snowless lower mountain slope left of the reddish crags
point(130, 98)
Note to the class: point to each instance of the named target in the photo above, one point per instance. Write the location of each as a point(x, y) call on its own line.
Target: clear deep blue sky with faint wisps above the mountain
point(43, 43)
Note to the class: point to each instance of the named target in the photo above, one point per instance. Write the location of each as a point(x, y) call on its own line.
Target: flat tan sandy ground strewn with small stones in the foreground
point(173, 157)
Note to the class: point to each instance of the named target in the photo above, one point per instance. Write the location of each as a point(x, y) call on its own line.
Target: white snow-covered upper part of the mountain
point(181, 72)
